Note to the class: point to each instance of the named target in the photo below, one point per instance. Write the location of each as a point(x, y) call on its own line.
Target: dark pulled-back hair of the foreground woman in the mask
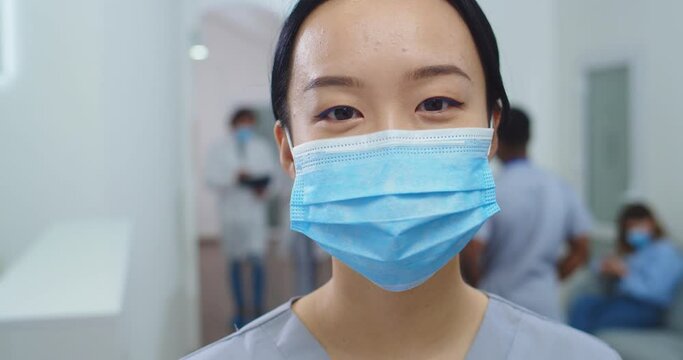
point(469, 10)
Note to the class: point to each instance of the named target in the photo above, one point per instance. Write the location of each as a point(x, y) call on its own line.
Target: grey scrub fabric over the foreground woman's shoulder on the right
point(533, 336)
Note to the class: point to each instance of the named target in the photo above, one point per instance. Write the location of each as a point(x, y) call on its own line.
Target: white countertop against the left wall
point(76, 269)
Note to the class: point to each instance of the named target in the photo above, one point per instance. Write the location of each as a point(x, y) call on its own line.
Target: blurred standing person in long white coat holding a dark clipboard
point(239, 169)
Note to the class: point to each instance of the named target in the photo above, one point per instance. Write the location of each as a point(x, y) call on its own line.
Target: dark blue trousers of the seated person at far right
point(591, 313)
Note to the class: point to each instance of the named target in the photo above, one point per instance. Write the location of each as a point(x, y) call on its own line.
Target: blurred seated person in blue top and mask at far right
point(645, 275)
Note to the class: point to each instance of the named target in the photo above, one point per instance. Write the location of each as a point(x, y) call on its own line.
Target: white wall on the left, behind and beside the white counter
point(89, 128)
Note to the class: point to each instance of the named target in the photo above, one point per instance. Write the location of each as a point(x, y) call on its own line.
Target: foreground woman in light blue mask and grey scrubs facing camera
point(387, 113)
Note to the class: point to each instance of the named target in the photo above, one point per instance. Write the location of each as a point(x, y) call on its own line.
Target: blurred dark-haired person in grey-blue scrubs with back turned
point(520, 253)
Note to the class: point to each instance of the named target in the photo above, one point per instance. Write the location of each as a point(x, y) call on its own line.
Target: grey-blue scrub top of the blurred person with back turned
point(525, 240)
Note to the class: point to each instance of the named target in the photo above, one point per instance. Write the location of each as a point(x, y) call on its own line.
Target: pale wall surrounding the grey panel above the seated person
point(647, 34)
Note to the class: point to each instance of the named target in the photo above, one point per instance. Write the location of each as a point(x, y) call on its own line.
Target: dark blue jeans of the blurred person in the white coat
point(257, 277)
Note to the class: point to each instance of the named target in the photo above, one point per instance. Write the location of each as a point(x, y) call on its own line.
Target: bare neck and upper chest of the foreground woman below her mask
point(352, 317)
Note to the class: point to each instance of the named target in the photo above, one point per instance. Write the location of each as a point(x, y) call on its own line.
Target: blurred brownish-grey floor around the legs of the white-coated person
point(216, 304)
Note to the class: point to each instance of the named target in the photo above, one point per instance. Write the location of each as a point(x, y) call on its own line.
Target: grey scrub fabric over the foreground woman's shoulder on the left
point(253, 341)
